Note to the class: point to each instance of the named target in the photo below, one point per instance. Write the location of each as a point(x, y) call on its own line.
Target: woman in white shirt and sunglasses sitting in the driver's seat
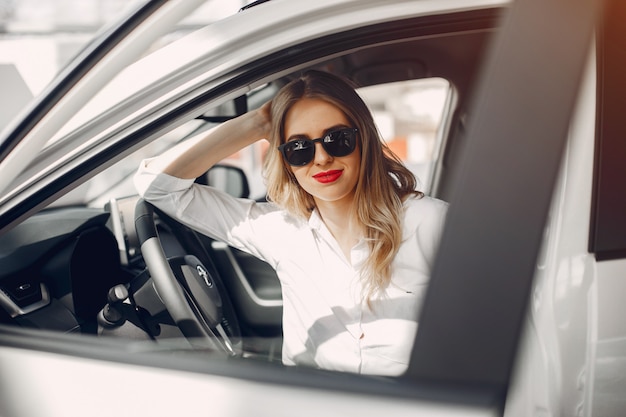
point(351, 240)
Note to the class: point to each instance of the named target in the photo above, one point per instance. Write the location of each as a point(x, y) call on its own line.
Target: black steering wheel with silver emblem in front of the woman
point(191, 292)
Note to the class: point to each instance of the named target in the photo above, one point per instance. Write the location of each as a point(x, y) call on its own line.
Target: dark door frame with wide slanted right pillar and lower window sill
point(462, 357)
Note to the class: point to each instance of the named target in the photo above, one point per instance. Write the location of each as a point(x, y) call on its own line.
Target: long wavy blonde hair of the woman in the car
point(384, 182)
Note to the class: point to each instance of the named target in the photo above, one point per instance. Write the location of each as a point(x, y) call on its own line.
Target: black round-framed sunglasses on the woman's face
point(299, 152)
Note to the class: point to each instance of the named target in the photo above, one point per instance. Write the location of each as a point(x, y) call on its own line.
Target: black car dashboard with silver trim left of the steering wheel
point(60, 268)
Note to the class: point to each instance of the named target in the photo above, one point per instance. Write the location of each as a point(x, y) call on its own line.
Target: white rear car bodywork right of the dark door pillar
point(574, 343)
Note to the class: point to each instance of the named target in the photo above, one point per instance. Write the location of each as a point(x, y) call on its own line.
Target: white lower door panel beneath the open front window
point(168, 393)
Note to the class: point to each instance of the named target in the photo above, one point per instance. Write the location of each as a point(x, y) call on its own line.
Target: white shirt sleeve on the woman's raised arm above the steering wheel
point(241, 223)
